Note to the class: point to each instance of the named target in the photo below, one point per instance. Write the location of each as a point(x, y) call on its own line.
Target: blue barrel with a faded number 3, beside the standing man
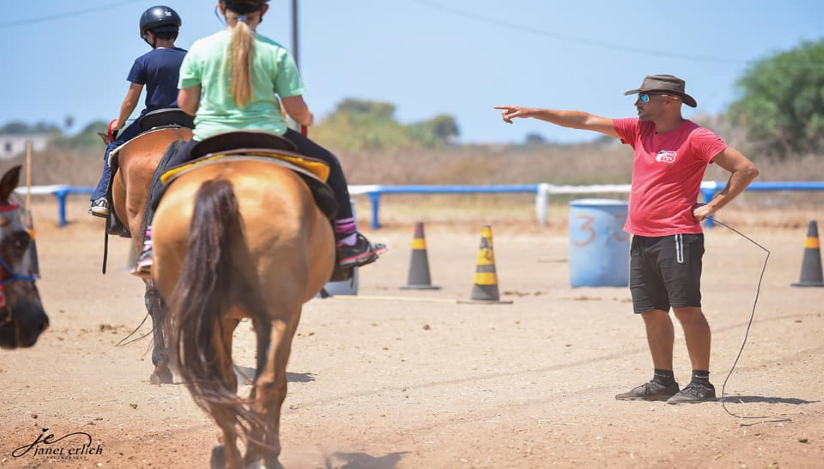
point(598, 244)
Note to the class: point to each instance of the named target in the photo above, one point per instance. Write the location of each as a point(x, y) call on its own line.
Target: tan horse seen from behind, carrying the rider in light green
point(232, 240)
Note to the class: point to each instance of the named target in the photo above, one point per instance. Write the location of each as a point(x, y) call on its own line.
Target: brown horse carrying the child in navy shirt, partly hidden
point(137, 161)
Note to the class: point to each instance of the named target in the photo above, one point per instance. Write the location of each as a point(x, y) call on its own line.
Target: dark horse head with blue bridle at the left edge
point(22, 318)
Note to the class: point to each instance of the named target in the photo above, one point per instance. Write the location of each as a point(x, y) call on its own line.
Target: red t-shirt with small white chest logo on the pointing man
point(666, 175)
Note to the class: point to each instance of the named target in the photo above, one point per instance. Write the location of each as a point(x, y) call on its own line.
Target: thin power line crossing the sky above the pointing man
point(574, 39)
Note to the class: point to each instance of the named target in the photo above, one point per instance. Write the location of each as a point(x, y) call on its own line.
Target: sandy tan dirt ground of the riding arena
point(418, 382)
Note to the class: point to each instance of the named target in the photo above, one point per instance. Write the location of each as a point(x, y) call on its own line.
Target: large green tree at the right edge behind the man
point(782, 104)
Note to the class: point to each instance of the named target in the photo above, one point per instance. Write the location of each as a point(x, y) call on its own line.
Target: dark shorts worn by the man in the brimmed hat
point(665, 271)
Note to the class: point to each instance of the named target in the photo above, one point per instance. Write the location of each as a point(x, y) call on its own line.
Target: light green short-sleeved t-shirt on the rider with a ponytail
point(274, 74)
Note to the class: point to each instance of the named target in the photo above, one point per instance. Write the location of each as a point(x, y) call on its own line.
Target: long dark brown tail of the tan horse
point(208, 285)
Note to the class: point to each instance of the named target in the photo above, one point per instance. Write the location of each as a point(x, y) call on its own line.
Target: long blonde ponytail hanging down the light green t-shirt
point(243, 53)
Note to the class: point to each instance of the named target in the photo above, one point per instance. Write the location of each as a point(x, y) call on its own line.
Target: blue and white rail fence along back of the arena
point(709, 189)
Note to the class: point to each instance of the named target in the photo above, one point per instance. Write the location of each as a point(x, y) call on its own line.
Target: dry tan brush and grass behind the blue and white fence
point(583, 164)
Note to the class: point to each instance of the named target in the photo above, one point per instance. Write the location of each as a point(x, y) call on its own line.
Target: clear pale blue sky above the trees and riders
point(428, 57)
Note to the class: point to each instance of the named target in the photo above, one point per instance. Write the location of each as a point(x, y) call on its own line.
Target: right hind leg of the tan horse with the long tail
point(269, 392)
